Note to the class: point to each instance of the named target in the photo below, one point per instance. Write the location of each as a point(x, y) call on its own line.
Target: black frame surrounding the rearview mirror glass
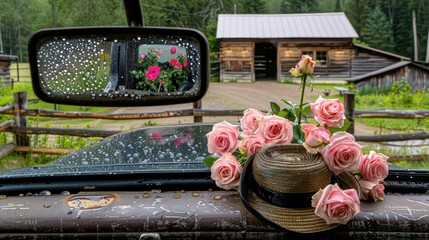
point(40, 37)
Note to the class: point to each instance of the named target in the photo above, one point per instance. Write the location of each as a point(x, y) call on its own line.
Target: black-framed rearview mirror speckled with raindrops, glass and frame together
point(119, 66)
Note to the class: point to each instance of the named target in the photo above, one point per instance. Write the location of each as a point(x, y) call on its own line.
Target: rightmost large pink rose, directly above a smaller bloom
point(374, 167)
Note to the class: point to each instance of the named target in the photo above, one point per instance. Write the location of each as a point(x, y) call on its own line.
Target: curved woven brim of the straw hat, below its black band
point(301, 220)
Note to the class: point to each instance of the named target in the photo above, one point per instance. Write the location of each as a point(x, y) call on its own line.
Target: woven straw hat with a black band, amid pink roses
point(278, 182)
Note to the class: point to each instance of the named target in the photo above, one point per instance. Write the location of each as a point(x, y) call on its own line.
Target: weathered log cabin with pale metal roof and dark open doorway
point(256, 47)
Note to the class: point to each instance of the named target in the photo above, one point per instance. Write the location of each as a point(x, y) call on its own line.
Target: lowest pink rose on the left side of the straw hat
point(226, 171)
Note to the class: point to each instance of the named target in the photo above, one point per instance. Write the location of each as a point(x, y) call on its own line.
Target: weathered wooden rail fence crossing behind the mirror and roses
point(20, 128)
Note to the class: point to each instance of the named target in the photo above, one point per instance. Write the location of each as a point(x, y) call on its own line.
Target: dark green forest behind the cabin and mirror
point(382, 24)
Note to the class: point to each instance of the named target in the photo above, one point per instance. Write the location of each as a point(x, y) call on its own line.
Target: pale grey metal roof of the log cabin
point(308, 25)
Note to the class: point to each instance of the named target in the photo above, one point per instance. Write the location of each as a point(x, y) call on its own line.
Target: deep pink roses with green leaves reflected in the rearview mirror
point(152, 75)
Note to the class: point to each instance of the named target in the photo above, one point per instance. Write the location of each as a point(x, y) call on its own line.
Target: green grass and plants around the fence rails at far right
point(398, 97)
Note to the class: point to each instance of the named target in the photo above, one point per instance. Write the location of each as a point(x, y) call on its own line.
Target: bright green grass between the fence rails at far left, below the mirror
point(16, 160)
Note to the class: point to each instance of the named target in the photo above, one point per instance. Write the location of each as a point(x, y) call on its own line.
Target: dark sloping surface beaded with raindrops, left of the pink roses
point(155, 149)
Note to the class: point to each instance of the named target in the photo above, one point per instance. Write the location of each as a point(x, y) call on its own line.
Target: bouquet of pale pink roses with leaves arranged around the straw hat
point(231, 145)
